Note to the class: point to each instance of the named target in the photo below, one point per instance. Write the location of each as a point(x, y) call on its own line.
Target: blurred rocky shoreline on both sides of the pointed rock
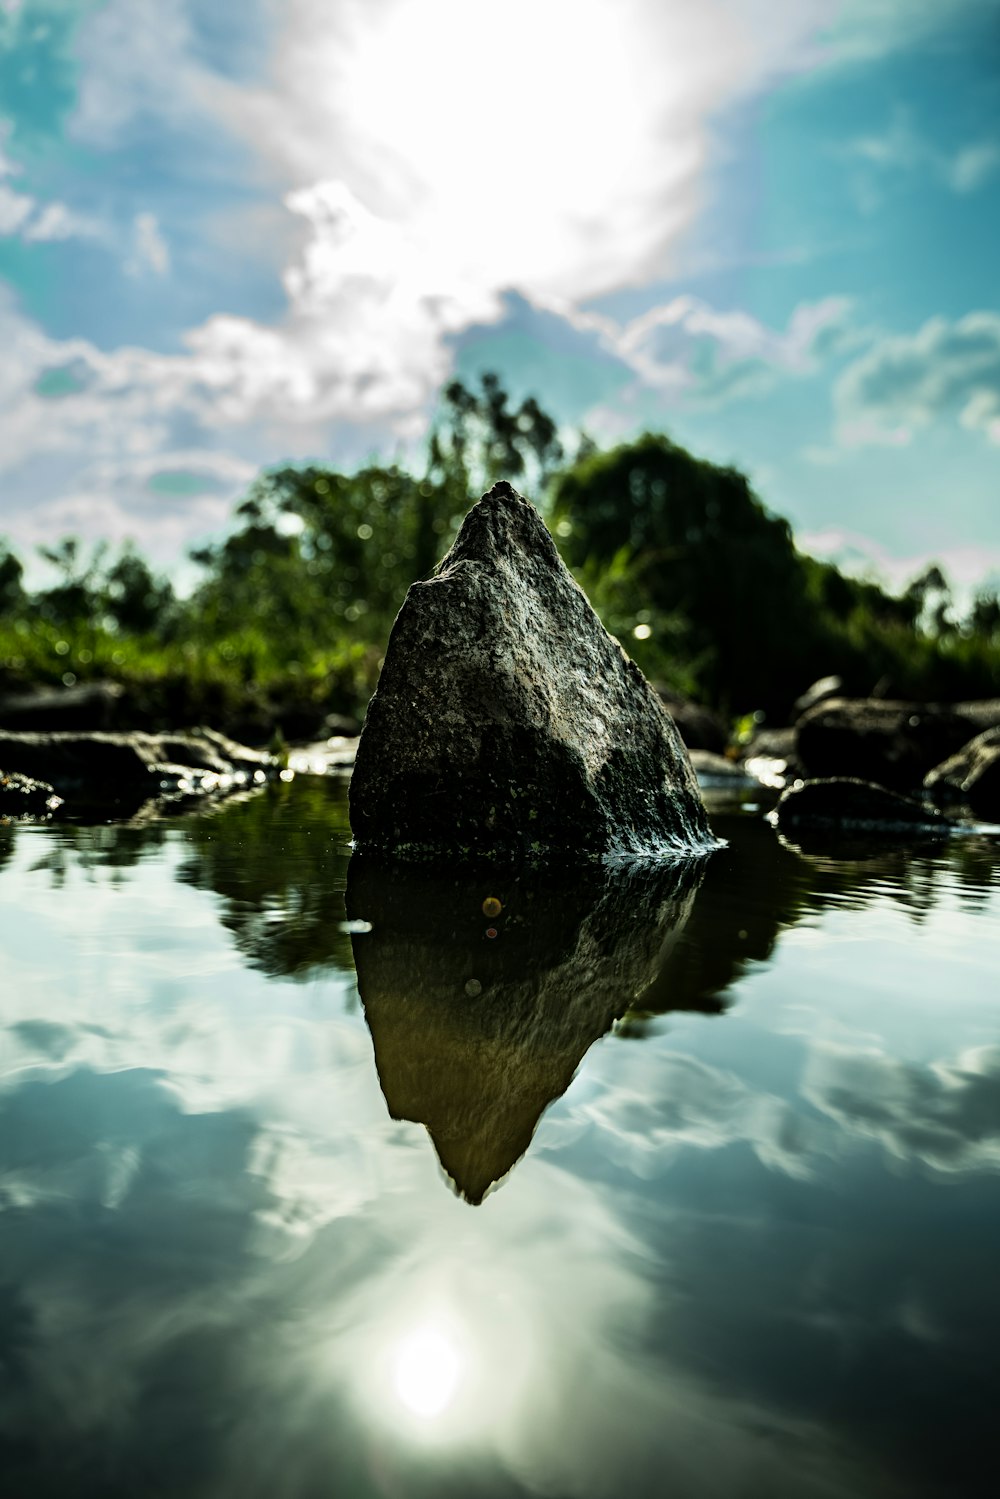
point(893, 770)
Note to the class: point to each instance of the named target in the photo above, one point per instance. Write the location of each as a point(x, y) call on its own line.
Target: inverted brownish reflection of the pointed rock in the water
point(479, 1017)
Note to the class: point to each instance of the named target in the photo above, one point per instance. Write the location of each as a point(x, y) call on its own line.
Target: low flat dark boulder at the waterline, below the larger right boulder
point(852, 806)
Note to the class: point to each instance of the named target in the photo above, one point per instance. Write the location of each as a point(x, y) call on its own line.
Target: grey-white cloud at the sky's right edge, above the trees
point(908, 381)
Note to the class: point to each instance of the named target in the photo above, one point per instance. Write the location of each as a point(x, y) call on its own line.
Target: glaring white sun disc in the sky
point(534, 118)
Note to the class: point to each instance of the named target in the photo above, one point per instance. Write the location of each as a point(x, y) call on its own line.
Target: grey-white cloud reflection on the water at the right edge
point(945, 1115)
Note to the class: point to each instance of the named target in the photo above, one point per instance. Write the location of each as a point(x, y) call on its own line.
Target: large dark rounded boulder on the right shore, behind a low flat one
point(890, 743)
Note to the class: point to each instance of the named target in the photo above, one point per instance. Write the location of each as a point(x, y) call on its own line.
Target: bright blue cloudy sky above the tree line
point(242, 232)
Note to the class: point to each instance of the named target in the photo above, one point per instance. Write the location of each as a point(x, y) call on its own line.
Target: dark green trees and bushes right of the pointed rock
point(708, 584)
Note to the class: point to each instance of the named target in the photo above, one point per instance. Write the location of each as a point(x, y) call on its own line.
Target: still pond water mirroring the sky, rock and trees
point(338, 1182)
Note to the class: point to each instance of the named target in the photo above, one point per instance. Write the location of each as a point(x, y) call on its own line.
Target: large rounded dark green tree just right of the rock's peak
point(701, 552)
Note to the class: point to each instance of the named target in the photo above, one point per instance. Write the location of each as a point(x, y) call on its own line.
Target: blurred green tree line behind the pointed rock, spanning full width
point(684, 563)
